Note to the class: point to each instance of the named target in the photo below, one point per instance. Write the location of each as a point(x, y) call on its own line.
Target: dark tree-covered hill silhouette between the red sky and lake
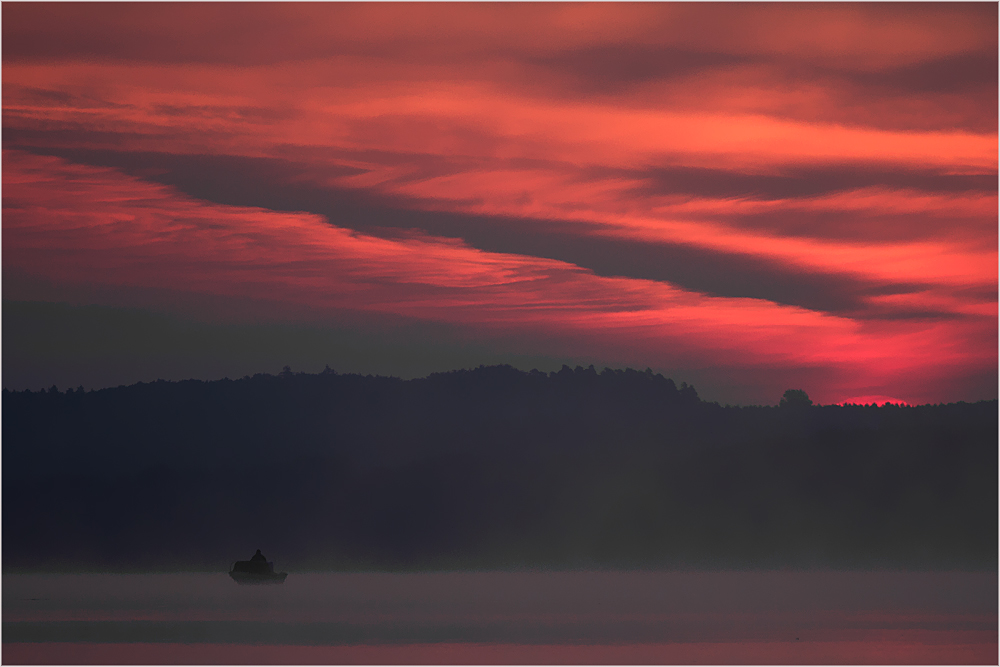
point(487, 468)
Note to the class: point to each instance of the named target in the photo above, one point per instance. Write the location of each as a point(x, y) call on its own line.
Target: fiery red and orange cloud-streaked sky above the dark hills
point(745, 197)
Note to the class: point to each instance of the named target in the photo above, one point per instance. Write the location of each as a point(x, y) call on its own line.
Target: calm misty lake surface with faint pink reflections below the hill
point(573, 617)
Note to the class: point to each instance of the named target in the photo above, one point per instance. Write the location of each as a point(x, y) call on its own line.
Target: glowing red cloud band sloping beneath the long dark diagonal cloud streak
point(70, 225)
